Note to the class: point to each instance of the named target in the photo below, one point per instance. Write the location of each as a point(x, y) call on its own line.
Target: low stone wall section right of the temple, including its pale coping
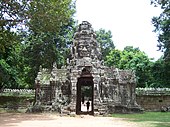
point(153, 99)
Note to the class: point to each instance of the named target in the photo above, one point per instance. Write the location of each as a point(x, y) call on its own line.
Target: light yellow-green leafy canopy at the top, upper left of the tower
point(49, 15)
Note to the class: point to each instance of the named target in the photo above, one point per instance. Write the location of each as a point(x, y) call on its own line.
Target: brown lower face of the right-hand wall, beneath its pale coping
point(153, 102)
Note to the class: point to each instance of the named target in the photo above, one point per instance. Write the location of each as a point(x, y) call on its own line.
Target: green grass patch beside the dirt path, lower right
point(154, 119)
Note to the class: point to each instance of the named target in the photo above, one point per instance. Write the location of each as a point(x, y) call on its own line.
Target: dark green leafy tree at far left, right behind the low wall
point(10, 64)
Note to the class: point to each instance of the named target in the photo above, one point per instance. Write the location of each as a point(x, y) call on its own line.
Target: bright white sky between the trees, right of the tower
point(128, 20)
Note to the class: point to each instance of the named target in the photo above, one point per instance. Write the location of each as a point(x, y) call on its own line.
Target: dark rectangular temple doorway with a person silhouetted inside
point(85, 88)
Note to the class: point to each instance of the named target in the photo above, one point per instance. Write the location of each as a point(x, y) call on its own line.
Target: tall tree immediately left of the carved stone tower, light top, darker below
point(50, 31)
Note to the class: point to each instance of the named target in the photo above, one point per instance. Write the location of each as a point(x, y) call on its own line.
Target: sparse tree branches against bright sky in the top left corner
point(12, 14)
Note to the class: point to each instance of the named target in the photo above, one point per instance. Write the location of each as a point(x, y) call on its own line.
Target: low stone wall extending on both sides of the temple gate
point(150, 99)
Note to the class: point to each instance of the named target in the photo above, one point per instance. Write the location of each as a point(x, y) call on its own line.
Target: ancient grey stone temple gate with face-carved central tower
point(85, 85)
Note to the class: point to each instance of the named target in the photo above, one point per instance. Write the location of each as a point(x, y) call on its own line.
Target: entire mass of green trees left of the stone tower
point(49, 27)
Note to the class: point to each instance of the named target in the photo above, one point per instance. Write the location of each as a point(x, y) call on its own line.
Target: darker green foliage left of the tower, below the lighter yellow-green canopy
point(46, 48)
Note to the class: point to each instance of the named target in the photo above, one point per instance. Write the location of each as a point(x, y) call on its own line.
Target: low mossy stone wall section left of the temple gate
point(15, 99)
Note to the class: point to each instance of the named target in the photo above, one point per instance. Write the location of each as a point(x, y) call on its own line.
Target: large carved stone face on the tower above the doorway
point(84, 49)
